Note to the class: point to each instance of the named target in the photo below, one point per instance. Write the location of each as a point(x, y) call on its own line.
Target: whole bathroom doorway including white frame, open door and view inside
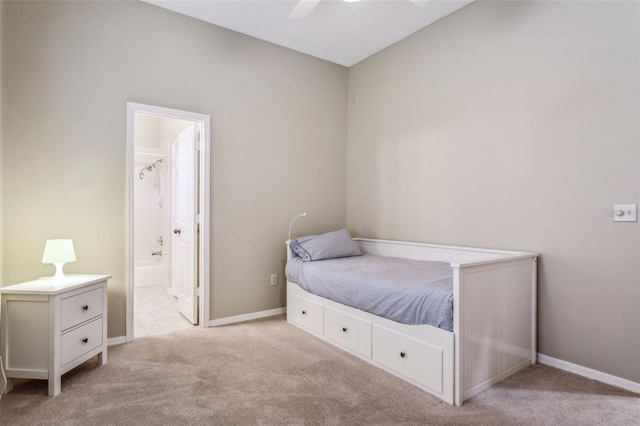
point(167, 226)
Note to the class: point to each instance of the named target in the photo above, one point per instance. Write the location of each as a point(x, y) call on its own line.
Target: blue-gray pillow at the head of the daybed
point(326, 246)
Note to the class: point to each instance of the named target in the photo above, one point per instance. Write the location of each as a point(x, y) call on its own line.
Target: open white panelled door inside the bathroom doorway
point(184, 208)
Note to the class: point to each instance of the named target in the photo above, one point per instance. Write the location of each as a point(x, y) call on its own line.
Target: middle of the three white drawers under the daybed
point(348, 331)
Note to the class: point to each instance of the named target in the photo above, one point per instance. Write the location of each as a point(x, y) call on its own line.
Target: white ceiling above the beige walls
point(337, 31)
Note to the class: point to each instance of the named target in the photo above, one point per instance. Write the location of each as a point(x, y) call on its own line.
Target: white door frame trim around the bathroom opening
point(204, 243)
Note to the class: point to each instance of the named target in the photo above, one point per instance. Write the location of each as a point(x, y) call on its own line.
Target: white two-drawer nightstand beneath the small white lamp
point(48, 327)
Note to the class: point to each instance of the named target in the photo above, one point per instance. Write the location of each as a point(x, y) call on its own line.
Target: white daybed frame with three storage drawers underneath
point(494, 329)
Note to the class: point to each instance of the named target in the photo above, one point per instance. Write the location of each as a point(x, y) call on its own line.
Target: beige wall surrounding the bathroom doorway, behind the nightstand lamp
point(278, 121)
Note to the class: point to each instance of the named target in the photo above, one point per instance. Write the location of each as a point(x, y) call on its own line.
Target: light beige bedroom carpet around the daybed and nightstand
point(268, 372)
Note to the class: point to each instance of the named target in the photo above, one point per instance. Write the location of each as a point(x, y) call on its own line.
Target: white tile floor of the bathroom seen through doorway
point(155, 312)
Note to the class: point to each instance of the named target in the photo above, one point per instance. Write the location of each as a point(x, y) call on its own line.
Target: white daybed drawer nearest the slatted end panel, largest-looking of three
point(409, 357)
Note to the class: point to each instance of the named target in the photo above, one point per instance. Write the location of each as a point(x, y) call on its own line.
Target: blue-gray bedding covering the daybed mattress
point(402, 290)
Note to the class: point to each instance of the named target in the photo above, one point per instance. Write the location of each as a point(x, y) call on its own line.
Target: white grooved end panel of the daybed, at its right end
point(494, 323)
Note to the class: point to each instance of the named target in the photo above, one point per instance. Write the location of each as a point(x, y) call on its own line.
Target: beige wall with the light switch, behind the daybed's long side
point(514, 125)
